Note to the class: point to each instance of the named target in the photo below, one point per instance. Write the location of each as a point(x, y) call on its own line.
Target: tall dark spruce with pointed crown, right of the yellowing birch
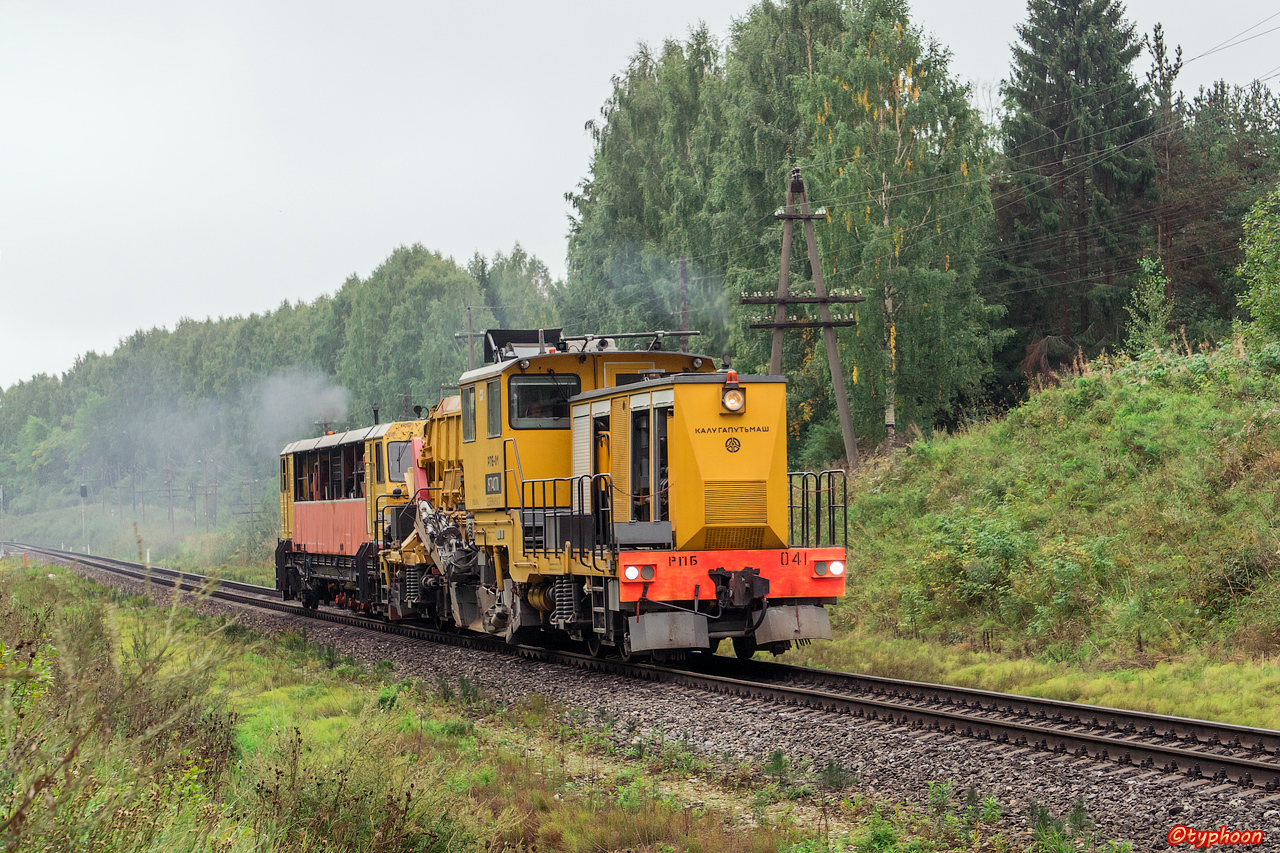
point(1078, 168)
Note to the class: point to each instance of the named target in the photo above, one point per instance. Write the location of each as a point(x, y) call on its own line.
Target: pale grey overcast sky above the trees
point(162, 161)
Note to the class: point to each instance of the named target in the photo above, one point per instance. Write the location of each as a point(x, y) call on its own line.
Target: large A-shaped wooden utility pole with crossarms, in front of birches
point(826, 322)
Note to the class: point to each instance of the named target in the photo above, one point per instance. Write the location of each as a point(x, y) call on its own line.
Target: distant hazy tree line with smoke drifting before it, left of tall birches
point(172, 412)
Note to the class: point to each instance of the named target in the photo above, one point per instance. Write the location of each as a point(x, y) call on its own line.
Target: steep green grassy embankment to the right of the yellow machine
point(1113, 541)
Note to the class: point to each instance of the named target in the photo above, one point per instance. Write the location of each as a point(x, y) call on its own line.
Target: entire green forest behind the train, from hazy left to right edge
point(1100, 209)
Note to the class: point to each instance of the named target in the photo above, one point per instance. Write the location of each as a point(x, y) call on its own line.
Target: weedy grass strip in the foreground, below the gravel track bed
point(131, 728)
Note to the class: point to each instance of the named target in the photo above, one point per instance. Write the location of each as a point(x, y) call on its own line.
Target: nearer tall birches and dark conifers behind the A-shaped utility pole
point(988, 252)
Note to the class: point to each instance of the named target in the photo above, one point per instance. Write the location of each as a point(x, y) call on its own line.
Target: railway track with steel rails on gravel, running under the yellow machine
point(1135, 745)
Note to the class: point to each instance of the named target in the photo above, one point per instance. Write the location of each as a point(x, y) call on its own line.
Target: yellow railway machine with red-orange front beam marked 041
point(636, 500)
